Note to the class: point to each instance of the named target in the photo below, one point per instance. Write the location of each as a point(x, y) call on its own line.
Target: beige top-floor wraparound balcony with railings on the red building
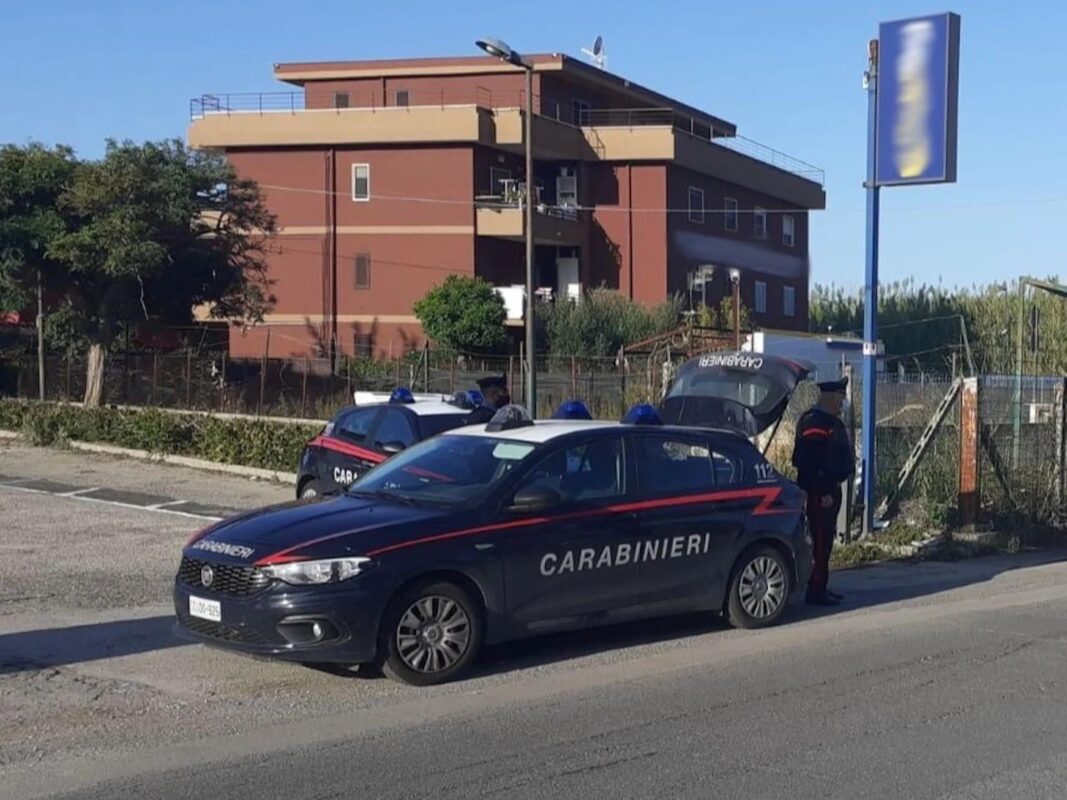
point(480, 117)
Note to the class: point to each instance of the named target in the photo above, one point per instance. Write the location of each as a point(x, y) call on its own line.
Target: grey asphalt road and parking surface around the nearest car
point(934, 681)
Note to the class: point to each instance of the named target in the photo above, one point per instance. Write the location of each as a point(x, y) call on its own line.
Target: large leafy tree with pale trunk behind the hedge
point(162, 230)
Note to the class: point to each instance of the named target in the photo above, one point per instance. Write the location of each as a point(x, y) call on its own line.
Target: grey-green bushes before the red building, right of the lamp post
point(602, 323)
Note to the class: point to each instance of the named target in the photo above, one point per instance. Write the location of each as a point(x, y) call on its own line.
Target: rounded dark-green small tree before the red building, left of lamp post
point(465, 315)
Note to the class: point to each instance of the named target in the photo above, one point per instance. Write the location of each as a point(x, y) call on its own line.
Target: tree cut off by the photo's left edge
point(33, 181)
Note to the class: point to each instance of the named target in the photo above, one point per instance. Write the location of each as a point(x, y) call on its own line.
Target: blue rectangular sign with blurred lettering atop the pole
point(918, 91)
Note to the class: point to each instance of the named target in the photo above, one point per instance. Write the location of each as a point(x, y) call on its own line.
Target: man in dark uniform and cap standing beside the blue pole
point(824, 458)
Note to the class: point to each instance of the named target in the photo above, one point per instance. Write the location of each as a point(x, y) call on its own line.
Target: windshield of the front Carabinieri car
point(450, 470)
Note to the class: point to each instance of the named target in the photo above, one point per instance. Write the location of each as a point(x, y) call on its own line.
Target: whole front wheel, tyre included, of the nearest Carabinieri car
point(432, 635)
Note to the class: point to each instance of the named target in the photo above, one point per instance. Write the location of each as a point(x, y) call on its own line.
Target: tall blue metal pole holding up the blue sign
point(871, 305)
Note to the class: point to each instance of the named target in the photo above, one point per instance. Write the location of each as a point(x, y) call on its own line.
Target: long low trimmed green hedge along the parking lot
point(246, 442)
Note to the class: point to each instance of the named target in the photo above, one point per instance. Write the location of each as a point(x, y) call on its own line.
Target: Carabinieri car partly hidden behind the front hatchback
point(360, 437)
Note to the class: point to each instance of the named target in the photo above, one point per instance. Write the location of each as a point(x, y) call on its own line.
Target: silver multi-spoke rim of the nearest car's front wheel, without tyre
point(434, 634)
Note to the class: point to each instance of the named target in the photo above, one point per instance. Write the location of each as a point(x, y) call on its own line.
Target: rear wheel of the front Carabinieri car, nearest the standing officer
point(760, 589)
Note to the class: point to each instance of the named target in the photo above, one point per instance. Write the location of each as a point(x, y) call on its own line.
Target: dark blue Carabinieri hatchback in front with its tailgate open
point(499, 532)
